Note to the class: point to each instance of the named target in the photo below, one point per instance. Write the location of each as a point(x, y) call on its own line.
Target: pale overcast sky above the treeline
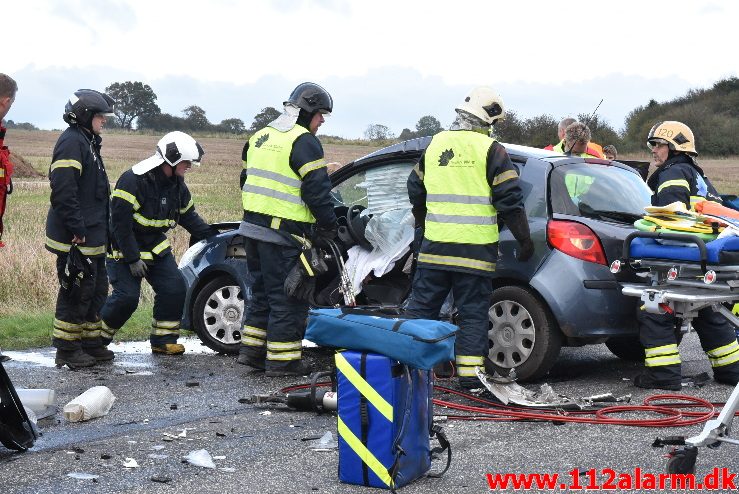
point(385, 62)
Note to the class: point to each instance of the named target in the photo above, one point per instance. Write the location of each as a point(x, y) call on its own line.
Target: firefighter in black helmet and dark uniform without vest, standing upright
point(78, 216)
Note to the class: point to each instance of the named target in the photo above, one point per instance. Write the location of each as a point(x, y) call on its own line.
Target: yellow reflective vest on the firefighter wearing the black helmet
point(271, 186)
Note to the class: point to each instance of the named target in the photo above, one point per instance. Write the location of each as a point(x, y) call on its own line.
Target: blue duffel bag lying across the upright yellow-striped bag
point(419, 343)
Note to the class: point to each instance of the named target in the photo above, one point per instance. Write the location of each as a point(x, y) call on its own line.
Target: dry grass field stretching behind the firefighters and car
point(28, 283)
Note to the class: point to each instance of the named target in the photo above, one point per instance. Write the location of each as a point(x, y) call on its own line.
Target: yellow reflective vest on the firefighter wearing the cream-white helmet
point(458, 195)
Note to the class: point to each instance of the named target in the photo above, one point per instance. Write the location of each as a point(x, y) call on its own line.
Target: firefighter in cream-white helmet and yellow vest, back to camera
point(464, 181)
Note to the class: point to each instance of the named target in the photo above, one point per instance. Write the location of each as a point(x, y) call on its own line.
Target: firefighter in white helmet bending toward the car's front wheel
point(148, 200)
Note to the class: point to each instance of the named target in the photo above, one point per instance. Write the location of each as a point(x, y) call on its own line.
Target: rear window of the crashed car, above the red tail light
point(598, 191)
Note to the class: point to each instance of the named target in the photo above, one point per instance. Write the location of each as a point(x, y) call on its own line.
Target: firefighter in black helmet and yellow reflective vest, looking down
point(287, 203)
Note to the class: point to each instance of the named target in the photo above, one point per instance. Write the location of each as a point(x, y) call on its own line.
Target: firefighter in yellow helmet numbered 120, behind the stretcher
point(678, 178)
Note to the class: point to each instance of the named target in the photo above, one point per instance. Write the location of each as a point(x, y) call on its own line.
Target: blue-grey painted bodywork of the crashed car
point(582, 296)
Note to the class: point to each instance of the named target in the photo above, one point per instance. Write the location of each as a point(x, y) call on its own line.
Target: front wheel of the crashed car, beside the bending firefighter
point(218, 315)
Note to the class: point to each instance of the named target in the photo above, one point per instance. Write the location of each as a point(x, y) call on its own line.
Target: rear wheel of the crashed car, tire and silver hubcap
point(523, 334)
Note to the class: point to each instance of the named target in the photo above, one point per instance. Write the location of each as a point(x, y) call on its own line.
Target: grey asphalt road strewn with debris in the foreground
point(167, 407)
